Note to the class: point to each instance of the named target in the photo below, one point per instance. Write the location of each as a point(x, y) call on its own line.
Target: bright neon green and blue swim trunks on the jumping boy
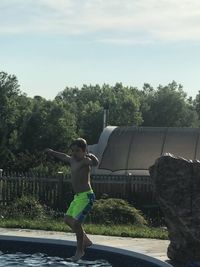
point(81, 205)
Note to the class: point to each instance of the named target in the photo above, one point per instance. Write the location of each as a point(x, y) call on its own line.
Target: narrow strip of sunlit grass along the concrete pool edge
point(95, 229)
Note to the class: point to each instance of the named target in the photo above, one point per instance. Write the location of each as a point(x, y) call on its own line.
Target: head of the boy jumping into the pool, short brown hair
point(79, 148)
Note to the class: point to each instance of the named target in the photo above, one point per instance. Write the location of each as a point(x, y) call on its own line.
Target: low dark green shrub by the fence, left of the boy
point(27, 207)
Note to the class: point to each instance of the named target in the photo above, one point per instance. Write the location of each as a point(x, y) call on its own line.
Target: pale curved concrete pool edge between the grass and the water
point(154, 248)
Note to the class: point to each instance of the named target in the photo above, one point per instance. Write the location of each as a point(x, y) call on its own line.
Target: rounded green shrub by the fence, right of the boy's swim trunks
point(116, 211)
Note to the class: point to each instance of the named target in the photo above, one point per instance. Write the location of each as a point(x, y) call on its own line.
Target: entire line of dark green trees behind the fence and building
point(29, 125)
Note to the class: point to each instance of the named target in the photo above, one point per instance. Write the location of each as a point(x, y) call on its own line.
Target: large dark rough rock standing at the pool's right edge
point(176, 182)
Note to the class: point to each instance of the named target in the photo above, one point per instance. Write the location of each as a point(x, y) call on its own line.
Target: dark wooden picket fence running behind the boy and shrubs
point(56, 192)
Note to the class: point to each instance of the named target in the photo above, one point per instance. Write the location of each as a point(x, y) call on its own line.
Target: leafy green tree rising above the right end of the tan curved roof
point(168, 106)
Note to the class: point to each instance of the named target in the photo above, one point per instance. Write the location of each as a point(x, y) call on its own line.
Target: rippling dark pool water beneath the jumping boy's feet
point(20, 259)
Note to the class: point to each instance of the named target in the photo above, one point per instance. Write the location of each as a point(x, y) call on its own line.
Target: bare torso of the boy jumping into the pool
point(80, 176)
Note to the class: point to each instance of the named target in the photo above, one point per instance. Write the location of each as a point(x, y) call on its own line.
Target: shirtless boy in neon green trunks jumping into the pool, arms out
point(80, 162)
